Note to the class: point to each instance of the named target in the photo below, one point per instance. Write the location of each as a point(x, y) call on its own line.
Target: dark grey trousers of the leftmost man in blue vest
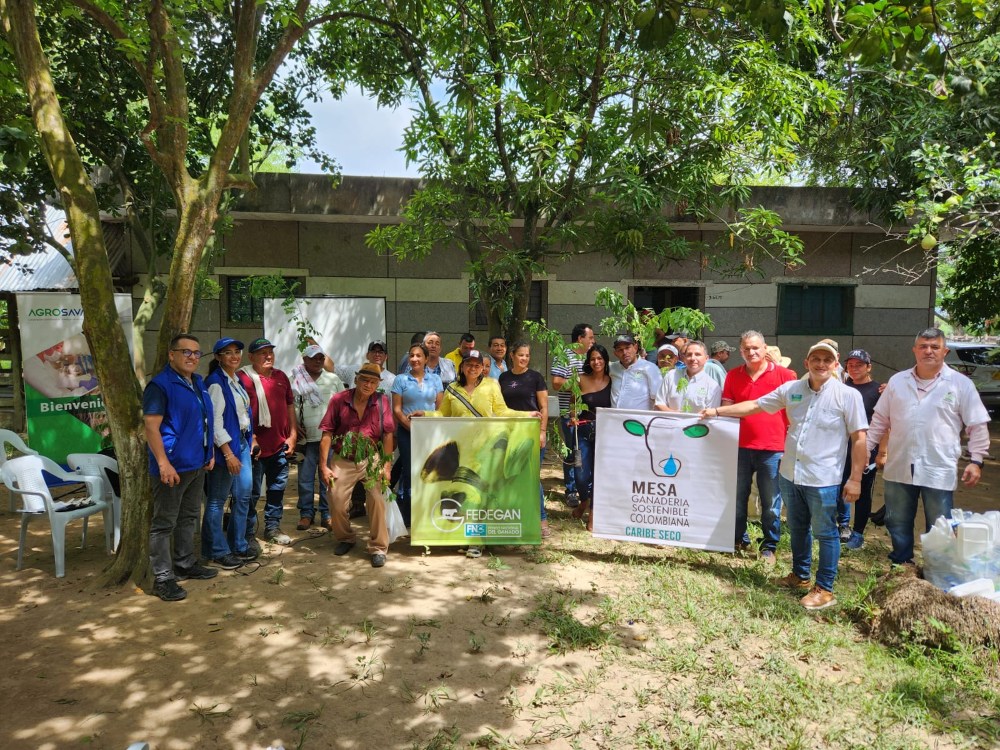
point(175, 518)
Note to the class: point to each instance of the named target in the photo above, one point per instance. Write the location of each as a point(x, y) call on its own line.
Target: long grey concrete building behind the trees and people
point(301, 227)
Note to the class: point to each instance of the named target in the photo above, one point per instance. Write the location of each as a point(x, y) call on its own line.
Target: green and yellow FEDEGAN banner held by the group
point(475, 481)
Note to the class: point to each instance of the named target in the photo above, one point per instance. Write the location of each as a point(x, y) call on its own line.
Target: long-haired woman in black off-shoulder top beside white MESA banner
point(595, 392)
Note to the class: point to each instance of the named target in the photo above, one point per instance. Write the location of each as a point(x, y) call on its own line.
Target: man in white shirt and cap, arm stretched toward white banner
point(826, 420)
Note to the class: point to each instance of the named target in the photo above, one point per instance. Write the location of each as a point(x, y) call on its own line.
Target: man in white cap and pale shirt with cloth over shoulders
point(313, 386)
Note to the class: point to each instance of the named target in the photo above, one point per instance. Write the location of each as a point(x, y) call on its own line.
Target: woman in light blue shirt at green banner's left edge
point(413, 393)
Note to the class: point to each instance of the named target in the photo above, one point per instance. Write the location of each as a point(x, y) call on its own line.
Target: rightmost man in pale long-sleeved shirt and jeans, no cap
point(924, 409)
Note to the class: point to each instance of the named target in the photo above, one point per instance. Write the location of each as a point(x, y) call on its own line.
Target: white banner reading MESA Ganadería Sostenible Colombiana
point(665, 478)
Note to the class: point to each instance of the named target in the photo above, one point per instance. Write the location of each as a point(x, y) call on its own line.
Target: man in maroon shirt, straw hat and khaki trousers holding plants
point(363, 412)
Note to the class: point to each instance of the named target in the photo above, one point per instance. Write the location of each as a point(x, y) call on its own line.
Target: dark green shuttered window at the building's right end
point(815, 310)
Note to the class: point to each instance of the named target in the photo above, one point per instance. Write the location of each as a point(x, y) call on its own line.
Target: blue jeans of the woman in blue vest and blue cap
point(221, 483)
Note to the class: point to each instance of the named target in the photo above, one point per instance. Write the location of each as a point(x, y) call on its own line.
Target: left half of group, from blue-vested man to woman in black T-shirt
point(232, 435)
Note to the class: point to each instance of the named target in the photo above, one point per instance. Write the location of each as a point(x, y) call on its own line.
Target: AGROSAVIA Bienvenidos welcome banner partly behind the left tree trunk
point(62, 397)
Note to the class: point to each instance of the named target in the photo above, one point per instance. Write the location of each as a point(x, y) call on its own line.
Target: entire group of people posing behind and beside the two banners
point(813, 443)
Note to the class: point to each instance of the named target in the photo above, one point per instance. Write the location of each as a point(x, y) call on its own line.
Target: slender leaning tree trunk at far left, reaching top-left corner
point(101, 326)
